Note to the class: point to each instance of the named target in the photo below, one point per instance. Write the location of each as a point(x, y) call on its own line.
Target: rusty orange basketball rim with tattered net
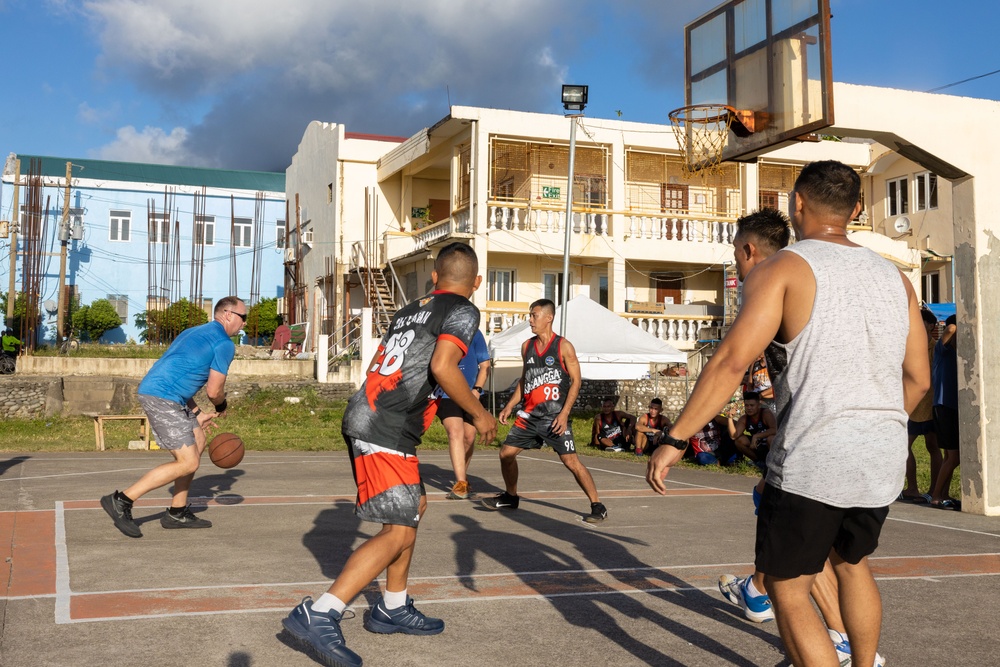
point(702, 131)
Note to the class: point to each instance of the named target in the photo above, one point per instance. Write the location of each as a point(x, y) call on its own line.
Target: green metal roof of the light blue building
point(137, 172)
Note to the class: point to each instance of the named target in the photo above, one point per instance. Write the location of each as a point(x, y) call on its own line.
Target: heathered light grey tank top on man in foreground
point(841, 422)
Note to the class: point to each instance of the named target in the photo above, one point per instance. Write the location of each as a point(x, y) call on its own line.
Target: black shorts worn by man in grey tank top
point(795, 534)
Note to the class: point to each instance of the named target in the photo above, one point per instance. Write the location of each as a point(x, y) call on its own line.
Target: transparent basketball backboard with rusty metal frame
point(769, 62)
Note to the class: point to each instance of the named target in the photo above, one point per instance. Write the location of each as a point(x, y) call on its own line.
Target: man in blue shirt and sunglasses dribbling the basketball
point(198, 357)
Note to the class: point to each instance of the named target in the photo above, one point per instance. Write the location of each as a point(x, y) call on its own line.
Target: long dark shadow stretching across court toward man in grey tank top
point(520, 553)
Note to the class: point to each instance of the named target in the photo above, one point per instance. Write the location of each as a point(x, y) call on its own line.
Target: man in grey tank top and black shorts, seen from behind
point(838, 459)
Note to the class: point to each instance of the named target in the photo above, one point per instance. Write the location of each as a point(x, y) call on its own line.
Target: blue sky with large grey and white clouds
point(233, 83)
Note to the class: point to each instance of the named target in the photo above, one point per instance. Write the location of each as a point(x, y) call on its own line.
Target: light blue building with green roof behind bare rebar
point(140, 235)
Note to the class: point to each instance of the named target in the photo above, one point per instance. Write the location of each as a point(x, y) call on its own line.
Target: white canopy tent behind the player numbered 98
point(608, 347)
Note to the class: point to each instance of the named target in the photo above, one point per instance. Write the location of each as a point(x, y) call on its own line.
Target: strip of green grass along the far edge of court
point(266, 422)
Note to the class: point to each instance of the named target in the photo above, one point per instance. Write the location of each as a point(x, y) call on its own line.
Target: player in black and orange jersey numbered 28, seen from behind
point(383, 424)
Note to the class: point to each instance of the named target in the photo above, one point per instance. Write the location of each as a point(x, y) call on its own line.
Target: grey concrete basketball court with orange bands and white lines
point(533, 587)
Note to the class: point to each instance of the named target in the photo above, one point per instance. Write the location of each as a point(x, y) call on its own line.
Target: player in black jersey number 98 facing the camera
point(550, 382)
